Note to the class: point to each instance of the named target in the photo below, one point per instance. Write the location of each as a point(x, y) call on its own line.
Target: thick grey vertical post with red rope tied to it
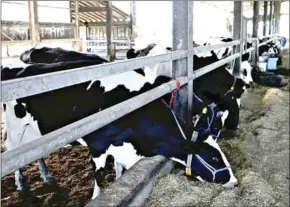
point(182, 40)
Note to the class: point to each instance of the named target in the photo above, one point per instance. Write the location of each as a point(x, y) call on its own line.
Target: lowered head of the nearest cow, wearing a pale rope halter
point(209, 163)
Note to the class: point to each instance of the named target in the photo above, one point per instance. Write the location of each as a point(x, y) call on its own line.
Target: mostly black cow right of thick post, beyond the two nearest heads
point(217, 86)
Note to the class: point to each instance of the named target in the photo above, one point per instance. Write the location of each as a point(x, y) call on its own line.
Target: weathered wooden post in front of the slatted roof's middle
point(109, 26)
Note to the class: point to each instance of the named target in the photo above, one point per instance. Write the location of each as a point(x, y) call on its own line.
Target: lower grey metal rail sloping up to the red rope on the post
point(43, 146)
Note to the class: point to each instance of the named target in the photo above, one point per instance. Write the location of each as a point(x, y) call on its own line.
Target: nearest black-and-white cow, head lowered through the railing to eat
point(28, 118)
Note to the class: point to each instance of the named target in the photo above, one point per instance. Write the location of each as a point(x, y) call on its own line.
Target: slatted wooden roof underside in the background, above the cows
point(94, 13)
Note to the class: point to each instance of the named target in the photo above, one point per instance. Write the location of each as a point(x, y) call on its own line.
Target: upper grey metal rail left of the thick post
point(22, 87)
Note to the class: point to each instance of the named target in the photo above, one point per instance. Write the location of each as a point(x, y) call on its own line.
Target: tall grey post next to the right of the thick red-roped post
point(238, 27)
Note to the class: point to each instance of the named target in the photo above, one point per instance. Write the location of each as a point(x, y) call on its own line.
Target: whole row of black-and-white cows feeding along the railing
point(151, 130)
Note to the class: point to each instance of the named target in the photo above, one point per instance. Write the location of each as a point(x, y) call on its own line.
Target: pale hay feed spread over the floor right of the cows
point(259, 156)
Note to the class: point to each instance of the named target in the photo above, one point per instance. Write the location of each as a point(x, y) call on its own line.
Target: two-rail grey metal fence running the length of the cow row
point(22, 87)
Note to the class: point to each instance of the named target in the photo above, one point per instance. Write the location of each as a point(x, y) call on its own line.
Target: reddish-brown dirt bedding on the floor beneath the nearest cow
point(73, 181)
